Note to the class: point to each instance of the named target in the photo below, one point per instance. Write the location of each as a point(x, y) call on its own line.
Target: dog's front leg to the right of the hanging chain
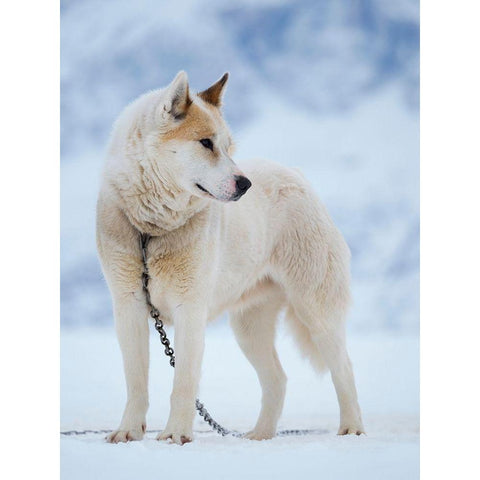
point(189, 324)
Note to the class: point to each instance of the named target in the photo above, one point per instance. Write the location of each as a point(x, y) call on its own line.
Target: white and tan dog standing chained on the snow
point(169, 173)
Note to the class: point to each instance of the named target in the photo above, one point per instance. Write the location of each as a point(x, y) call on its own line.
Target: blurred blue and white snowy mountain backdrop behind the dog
point(329, 86)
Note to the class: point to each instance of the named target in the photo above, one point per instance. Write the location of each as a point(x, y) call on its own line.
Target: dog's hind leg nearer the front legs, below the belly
point(254, 330)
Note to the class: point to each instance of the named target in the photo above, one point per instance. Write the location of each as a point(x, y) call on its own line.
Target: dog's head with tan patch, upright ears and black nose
point(192, 142)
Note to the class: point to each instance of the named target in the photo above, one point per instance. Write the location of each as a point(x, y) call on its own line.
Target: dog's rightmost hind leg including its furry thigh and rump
point(311, 262)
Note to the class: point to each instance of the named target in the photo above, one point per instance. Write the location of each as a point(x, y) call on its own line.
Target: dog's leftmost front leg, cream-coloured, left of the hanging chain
point(132, 331)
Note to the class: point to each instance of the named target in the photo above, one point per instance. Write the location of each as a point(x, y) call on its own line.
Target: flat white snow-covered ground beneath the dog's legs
point(386, 368)
